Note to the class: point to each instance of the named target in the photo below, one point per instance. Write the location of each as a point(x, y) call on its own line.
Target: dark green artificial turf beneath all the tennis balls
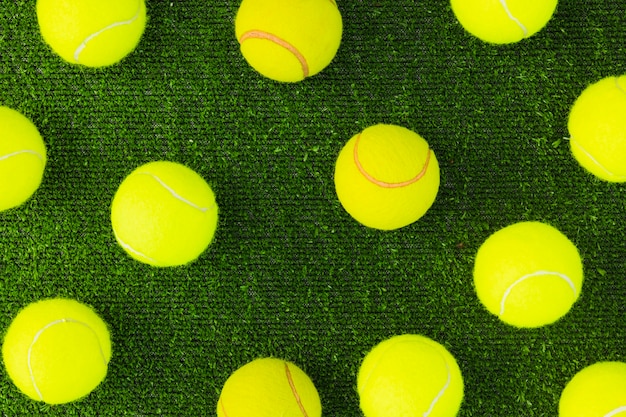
point(289, 273)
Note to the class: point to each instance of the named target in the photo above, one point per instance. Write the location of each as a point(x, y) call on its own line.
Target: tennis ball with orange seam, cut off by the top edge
point(288, 40)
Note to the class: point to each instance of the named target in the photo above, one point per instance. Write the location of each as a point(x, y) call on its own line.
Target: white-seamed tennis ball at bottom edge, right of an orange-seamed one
point(410, 375)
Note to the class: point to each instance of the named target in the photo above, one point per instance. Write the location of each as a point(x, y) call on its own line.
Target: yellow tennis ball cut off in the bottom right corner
point(598, 390)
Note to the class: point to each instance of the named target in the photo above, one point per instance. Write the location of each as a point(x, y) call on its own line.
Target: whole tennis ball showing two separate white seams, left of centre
point(164, 214)
